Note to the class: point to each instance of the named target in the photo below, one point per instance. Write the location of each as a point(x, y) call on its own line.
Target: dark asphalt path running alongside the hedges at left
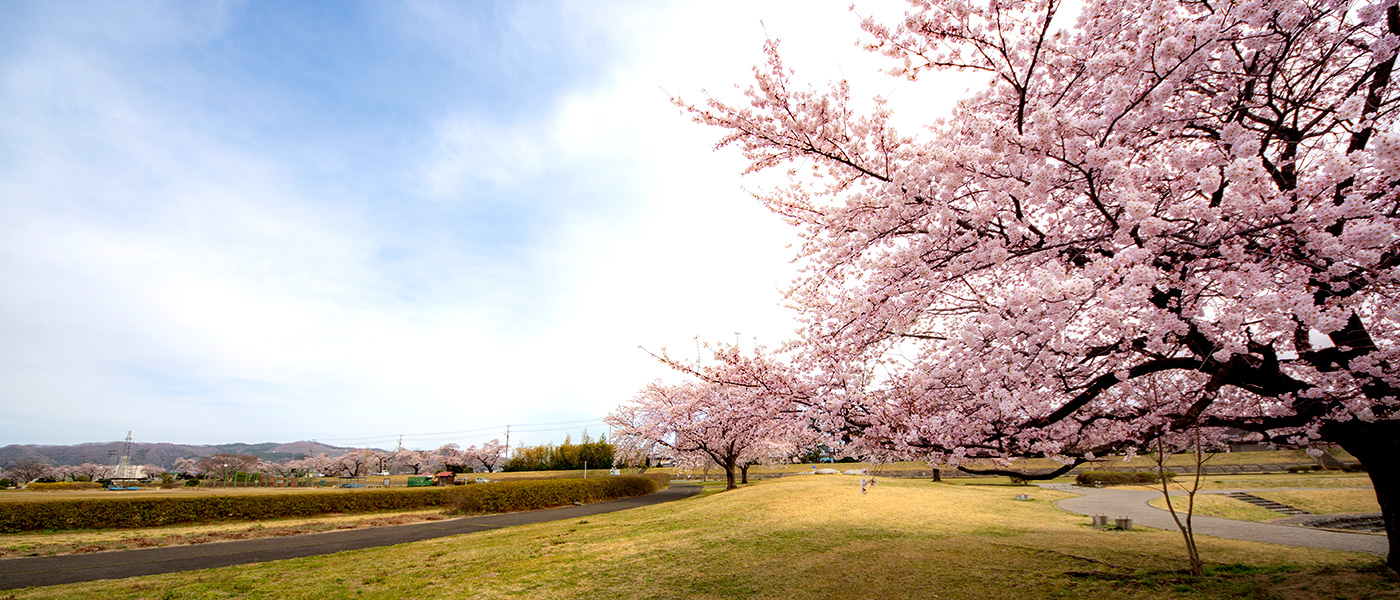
point(47, 571)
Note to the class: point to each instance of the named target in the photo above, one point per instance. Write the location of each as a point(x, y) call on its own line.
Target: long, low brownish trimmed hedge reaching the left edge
point(153, 513)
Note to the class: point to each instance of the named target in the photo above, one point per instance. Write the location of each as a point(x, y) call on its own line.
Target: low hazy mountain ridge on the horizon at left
point(160, 454)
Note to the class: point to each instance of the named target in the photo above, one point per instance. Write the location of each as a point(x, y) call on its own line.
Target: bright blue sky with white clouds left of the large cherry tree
point(346, 222)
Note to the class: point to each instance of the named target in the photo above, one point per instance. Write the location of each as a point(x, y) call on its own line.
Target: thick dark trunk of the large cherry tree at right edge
point(1378, 448)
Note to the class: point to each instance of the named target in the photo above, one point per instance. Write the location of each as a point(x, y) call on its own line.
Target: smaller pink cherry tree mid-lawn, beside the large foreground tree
point(727, 424)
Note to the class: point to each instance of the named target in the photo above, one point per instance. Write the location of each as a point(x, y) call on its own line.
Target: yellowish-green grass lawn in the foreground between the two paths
point(799, 538)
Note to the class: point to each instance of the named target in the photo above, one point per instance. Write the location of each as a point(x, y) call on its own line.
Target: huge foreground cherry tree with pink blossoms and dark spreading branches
point(1163, 187)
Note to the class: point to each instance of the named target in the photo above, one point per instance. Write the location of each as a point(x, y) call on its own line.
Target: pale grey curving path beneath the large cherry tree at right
point(1135, 504)
